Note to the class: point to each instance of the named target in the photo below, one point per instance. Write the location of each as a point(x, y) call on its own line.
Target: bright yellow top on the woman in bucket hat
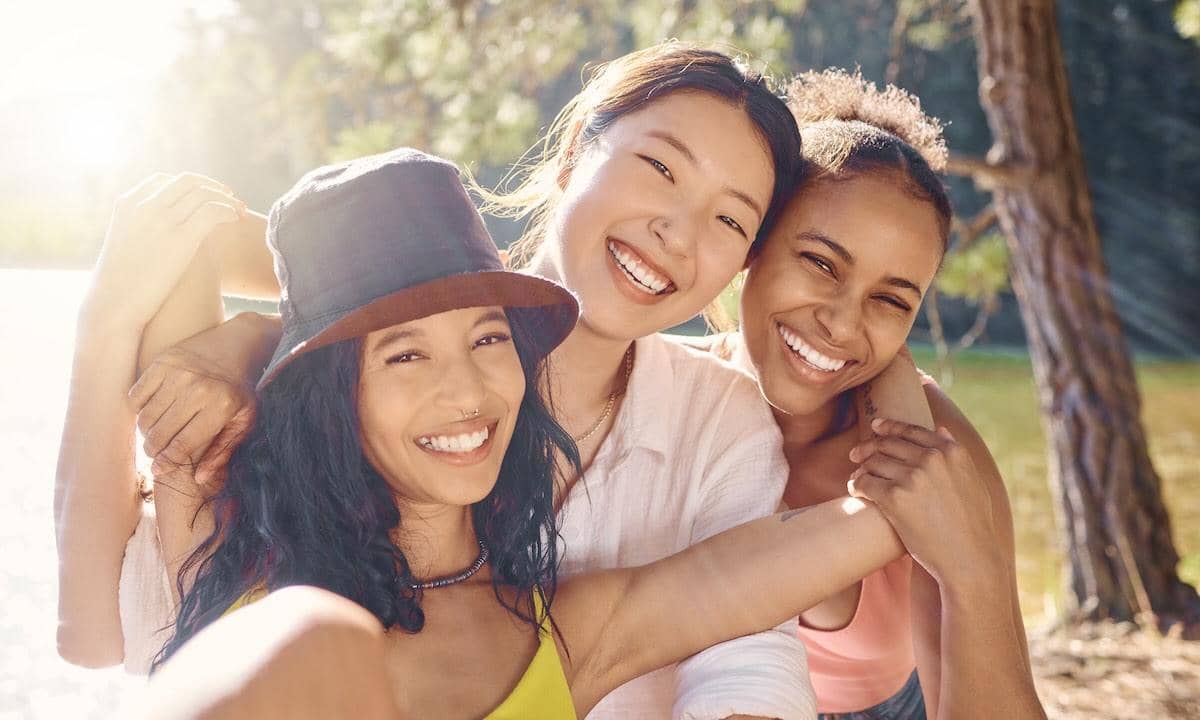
point(542, 692)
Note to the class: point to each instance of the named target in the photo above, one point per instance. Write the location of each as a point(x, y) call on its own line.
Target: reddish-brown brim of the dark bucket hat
point(548, 311)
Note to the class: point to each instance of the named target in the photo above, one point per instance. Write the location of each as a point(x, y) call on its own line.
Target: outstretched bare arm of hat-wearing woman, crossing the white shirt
point(623, 623)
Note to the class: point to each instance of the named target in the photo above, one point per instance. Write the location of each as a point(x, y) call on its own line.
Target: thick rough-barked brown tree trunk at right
point(1121, 561)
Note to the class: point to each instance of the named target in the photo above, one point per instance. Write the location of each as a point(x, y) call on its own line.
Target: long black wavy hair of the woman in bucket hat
point(303, 506)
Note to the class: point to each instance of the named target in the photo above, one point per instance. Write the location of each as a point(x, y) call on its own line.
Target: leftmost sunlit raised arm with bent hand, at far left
point(98, 500)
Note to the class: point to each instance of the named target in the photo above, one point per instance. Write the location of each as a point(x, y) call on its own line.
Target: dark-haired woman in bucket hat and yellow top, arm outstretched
point(403, 460)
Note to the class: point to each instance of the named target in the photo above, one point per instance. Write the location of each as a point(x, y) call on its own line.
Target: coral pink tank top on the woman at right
point(871, 659)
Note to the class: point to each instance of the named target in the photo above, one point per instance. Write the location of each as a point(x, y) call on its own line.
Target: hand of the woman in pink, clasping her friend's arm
point(927, 485)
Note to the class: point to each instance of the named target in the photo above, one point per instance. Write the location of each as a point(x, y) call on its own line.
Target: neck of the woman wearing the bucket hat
point(437, 541)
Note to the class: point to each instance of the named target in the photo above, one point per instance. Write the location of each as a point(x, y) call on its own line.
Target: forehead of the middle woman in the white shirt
point(718, 133)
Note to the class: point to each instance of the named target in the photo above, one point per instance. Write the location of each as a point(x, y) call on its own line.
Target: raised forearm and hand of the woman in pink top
point(945, 496)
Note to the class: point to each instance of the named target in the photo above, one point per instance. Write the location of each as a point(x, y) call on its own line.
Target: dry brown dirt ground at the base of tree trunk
point(1115, 671)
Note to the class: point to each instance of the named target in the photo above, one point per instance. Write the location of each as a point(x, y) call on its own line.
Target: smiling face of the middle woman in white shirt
point(658, 214)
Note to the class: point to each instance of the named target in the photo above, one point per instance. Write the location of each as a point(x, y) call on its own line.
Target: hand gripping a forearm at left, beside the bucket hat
point(196, 401)
